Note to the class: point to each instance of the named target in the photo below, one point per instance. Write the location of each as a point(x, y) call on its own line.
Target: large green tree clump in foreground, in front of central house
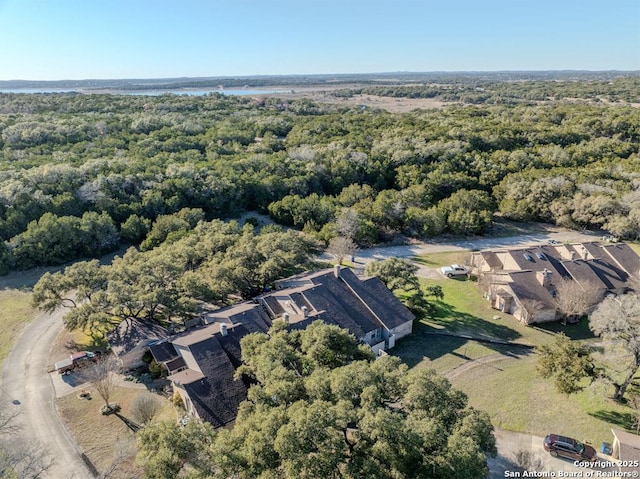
point(323, 407)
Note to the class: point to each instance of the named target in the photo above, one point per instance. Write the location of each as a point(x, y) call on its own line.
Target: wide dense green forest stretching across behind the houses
point(82, 174)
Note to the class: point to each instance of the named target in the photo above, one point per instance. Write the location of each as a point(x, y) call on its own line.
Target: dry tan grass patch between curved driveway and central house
point(101, 437)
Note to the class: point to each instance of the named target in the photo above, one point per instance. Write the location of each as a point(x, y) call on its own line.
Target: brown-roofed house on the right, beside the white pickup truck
point(523, 281)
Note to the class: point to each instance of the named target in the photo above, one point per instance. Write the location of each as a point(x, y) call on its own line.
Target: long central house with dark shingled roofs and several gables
point(201, 362)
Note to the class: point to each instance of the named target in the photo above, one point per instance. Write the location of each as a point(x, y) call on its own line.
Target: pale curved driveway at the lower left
point(26, 382)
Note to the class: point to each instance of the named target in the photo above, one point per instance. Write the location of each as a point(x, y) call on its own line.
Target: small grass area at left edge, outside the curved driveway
point(15, 312)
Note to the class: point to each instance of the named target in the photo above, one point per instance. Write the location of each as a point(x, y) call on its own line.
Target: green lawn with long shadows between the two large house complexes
point(502, 379)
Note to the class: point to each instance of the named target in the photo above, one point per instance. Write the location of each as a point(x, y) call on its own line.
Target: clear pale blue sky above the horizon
point(95, 39)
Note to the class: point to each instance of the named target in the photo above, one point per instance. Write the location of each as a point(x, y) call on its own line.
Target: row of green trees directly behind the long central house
point(214, 262)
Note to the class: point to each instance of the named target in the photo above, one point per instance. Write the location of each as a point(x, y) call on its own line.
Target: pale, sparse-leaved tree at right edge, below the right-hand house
point(617, 321)
